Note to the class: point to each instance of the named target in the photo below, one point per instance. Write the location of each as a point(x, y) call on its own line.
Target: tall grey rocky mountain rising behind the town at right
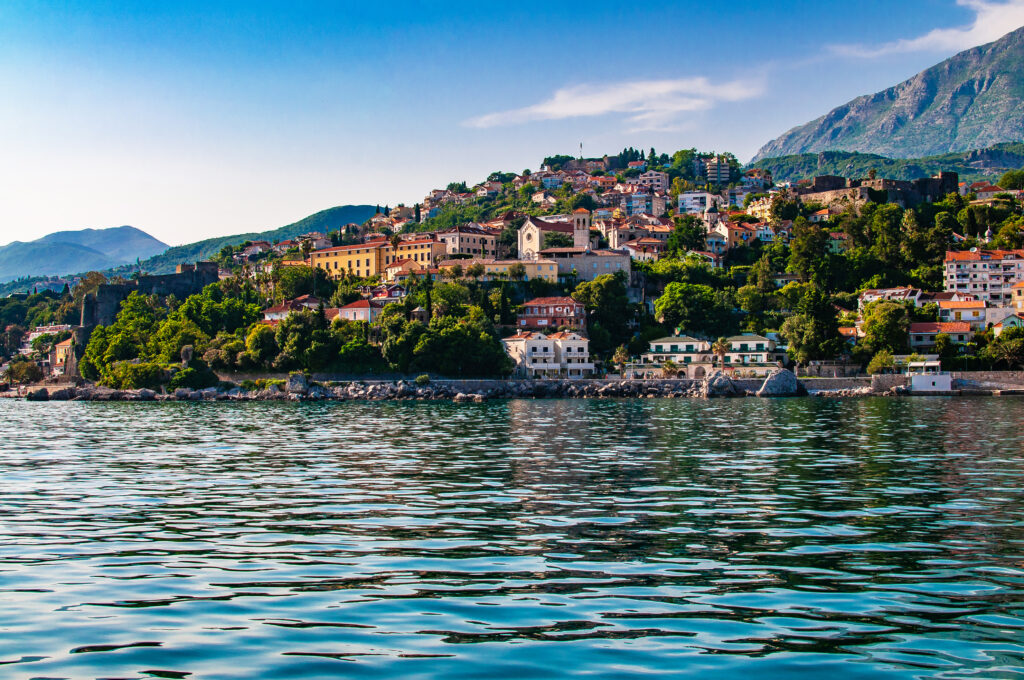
point(971, 101)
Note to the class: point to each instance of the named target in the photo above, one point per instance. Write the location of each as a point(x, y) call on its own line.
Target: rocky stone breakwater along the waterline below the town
point(780, 384)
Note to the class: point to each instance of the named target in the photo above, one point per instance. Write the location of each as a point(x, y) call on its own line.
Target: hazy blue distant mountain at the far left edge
point(77, 251)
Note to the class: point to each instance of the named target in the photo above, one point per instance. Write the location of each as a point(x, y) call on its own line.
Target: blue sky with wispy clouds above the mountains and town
point(201, 119)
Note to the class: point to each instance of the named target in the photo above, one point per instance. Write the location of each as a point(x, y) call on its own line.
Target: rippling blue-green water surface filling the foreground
point(772, 539)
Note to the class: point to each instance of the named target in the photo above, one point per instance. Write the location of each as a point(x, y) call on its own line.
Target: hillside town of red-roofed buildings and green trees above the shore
point(642, 267)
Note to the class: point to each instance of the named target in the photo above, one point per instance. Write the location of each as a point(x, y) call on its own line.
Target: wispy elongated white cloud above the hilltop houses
point(649, 105)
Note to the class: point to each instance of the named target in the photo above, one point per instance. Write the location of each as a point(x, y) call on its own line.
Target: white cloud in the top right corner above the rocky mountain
point(992, 22)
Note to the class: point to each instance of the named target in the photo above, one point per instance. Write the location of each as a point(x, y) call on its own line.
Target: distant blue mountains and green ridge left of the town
point(115, 251)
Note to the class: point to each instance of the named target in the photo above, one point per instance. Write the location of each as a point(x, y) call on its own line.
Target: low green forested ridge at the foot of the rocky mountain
point(985, 164)
